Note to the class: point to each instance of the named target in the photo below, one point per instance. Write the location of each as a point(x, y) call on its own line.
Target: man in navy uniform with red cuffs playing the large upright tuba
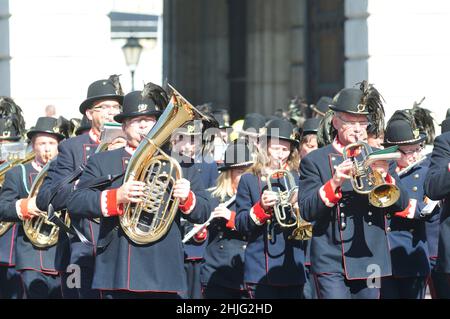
point(124, 269)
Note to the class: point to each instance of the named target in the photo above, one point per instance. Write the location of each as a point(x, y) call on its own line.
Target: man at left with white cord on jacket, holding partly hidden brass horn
point(36, 265)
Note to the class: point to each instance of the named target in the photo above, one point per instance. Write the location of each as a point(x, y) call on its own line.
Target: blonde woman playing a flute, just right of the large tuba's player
point(222, 273)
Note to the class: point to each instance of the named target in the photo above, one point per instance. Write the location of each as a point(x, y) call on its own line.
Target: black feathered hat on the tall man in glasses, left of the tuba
point(108, 89)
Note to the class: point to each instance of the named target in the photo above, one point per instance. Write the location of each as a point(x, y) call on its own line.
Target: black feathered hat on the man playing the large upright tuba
point(152, 100)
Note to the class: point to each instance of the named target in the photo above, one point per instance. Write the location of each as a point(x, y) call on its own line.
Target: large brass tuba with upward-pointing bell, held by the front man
point(148, 221)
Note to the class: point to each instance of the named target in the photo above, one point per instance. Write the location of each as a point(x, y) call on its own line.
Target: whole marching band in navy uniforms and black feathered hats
point(148, 196)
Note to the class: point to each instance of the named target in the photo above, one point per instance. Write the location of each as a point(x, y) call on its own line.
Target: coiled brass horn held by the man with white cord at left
point(40, 231)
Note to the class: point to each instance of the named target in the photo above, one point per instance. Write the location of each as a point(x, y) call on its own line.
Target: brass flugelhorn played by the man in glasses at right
point(366, 181)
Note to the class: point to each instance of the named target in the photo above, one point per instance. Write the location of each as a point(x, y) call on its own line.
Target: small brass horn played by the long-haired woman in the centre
point(287, 214)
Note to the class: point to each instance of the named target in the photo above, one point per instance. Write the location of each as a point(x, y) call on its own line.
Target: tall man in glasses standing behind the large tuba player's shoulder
point(104, 98)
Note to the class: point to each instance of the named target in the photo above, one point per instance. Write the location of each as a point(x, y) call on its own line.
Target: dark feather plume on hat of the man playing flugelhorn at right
point(374, 103)
